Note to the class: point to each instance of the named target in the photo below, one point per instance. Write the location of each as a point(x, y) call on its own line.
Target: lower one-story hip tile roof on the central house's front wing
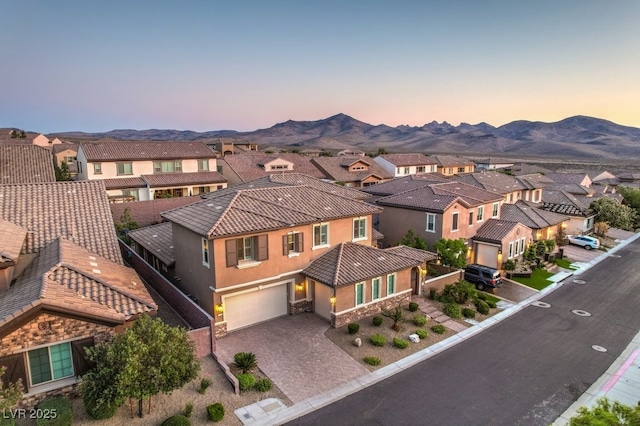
point(348, 263)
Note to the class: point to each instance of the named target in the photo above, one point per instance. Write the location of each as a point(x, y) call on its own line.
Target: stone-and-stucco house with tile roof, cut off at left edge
point(63, 283)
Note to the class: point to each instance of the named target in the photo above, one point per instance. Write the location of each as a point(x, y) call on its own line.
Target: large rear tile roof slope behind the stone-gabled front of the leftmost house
point(78, 211)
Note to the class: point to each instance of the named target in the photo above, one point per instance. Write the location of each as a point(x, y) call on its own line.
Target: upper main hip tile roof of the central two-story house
point(239, 211)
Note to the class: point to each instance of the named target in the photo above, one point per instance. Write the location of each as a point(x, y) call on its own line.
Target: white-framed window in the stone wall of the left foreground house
point(50, 363)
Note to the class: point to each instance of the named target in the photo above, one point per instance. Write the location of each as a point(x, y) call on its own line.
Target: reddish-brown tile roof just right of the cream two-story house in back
point(250, 166)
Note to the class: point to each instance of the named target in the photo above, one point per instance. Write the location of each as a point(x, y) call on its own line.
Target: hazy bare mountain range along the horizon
point(574, 137)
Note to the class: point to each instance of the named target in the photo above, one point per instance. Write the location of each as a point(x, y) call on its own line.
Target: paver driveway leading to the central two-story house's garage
point(294, 353)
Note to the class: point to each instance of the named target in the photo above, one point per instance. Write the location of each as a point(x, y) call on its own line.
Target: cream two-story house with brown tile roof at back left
point(137, 171)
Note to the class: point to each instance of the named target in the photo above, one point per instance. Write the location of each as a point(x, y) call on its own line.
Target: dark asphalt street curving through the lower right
point(526, 370)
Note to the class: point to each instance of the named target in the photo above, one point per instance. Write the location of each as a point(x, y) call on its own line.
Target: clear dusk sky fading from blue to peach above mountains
point(243, 65)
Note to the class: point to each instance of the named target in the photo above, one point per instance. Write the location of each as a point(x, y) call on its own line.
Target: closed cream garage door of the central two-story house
point(255, 306)
